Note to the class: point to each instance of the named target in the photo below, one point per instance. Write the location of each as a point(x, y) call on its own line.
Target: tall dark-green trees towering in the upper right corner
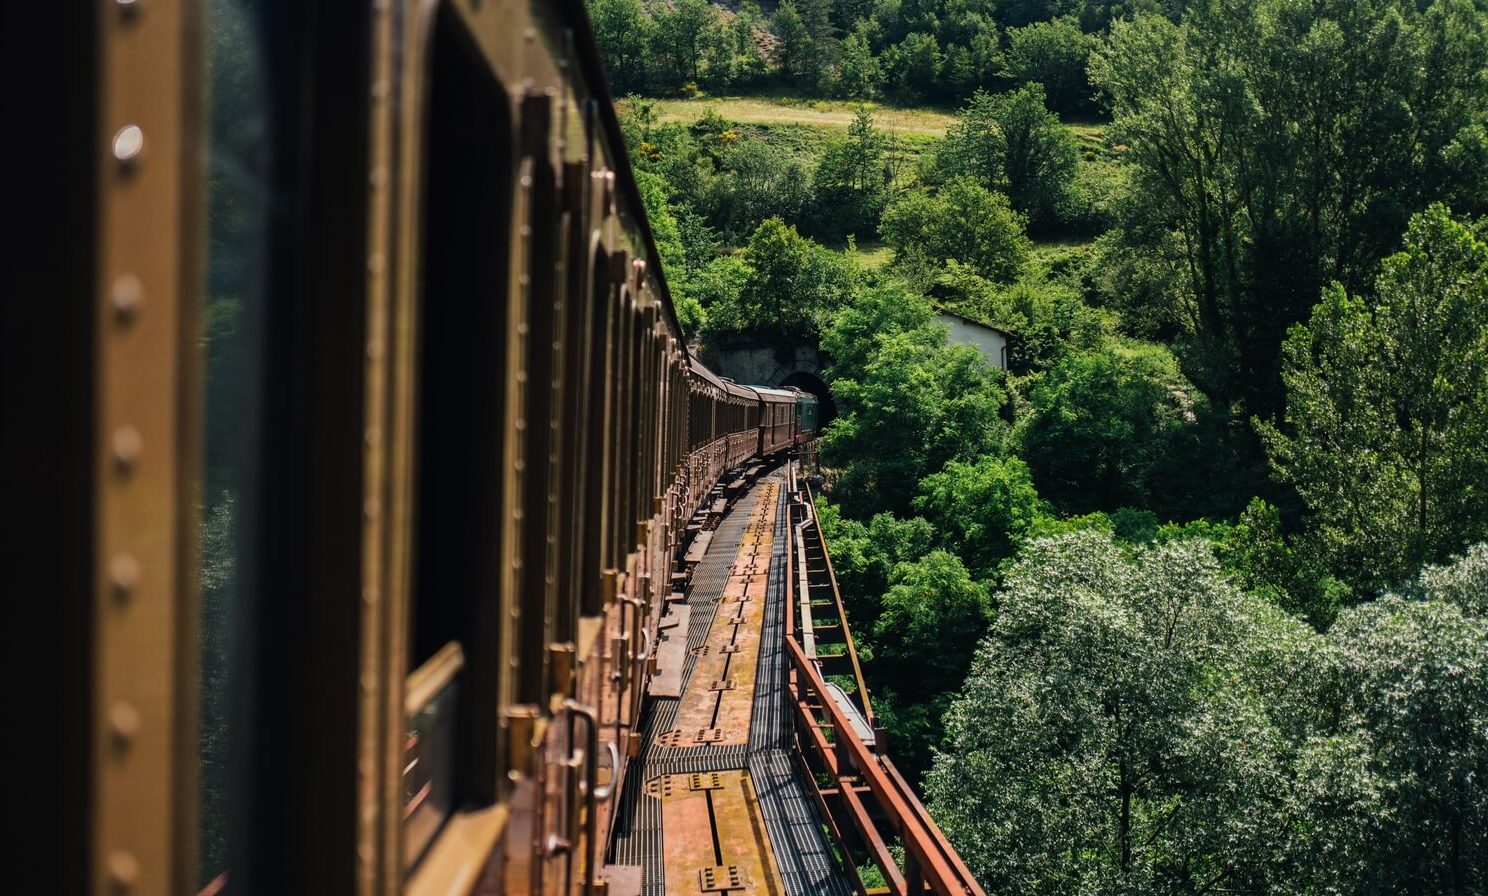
point(1277, 147)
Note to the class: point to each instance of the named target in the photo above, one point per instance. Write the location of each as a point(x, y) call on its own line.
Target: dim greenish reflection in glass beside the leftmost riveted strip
point(234, 242)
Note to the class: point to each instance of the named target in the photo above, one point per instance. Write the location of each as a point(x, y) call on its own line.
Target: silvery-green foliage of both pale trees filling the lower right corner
point(1133, 723)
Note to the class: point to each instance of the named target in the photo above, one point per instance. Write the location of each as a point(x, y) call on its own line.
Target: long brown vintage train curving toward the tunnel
point(373, 437)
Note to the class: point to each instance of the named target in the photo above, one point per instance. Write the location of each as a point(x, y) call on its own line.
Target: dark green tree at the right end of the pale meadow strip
point(1014, 144)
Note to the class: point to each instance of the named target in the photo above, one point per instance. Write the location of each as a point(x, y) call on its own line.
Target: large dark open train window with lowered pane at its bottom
point(461, 404)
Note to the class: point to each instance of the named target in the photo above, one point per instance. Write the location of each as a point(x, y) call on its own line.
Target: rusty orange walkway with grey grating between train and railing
point(743, 779)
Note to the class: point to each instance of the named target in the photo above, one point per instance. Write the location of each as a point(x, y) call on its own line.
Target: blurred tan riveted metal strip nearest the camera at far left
point(147, 456)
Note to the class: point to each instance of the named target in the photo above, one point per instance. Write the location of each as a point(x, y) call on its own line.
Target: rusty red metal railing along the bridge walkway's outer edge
point(865, 800)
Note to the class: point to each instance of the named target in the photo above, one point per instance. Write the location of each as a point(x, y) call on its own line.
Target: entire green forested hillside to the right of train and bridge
point(1194, 596)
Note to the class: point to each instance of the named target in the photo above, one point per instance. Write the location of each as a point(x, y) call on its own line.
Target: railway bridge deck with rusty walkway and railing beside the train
point(758, 766)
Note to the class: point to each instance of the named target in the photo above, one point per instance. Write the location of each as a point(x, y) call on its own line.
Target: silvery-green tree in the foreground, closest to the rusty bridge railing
point(1117, 735)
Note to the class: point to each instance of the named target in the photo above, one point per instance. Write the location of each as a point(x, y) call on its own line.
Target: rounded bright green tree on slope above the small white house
point(965, 223)
